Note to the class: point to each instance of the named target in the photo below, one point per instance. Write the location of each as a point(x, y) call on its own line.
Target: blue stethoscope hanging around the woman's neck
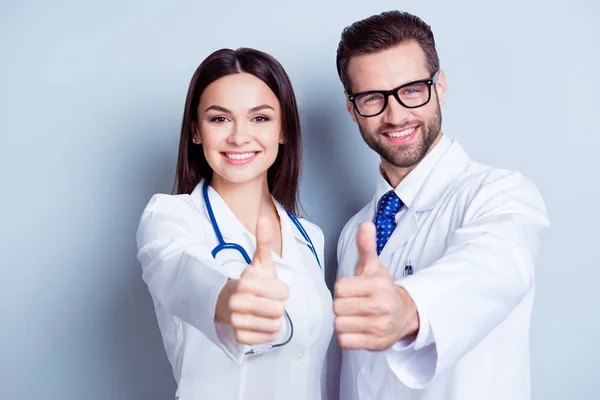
point(233, 246)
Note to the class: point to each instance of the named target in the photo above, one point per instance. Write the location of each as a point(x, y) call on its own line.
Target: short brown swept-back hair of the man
point(381, 32)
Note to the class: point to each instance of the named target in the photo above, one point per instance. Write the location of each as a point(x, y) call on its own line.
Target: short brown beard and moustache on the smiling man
point(404, 156)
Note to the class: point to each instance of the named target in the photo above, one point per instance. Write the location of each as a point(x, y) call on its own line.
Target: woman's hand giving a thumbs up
point(256, 304)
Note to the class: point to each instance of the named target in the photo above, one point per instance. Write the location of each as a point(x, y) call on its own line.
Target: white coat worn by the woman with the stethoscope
point(175, 238)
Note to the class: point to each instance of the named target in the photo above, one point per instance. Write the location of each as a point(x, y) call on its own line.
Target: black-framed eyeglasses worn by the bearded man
point(410, 95)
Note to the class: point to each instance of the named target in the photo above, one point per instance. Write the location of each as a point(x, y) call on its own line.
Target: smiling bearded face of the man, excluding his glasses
point(401, 136)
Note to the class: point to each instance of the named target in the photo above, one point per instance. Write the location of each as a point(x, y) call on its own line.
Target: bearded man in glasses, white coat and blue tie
point(436, 274)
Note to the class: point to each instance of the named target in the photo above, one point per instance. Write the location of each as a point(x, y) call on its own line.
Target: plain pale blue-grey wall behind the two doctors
point(91, 99)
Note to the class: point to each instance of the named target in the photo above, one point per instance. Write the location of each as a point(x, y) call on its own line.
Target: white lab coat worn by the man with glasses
point(471, 234)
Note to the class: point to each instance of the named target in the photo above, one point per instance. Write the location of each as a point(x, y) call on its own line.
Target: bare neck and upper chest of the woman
point(247, 200)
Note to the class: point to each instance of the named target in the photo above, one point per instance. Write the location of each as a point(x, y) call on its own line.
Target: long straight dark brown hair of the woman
point(283, 175)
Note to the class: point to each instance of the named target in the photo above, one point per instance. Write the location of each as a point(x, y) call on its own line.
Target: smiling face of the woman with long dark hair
point(239, 127)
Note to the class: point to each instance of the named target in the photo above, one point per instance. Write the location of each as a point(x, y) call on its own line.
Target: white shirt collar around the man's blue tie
point(410, 186)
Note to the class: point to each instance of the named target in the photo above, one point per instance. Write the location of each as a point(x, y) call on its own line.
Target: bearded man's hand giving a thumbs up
point(372, 312)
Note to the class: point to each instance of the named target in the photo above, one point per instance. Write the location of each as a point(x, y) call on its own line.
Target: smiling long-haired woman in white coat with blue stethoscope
point(236, 279)
